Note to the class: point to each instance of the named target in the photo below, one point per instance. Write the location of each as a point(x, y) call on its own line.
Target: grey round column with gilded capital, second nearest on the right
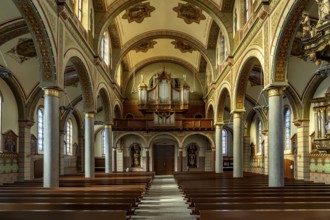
point(238, 144)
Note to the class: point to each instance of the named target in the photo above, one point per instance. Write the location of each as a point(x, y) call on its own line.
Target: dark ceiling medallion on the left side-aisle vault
point(23, 51)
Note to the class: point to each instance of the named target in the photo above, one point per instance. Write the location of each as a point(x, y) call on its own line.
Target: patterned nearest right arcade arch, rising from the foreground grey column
point(284, 37)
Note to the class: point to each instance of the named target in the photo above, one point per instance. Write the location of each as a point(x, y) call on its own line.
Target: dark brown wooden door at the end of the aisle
point(163, 157)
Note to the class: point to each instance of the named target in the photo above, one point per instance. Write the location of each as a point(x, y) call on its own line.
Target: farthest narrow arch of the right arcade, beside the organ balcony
point(224, 94)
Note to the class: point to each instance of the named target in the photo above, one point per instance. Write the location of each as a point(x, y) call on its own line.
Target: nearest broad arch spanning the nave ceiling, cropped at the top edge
point(209, 7)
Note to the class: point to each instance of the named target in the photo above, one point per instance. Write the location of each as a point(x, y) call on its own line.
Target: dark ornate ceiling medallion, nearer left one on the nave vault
point(138, 12)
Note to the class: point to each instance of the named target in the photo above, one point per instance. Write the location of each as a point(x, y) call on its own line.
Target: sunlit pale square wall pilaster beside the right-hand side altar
point(302, 150)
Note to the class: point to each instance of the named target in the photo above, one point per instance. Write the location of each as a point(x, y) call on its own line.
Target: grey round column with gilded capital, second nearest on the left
point(89, 145)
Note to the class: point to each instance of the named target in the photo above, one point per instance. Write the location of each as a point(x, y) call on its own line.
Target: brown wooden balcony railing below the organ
point(148, 124)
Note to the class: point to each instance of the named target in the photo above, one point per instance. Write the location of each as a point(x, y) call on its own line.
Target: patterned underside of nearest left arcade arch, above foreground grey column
point(41, 33)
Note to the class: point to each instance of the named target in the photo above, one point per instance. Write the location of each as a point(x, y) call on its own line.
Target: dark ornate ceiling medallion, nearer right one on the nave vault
point(189, 13)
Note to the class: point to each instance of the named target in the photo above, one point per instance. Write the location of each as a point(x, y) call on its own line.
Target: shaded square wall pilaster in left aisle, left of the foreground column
point(25, 162)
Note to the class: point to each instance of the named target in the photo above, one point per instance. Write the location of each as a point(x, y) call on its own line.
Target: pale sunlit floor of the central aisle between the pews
point(163, 201)
